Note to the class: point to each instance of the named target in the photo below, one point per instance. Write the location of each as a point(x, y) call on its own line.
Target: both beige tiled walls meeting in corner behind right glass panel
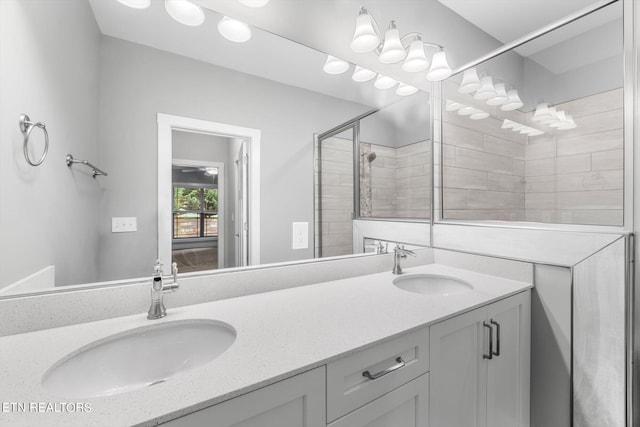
point(571, 176)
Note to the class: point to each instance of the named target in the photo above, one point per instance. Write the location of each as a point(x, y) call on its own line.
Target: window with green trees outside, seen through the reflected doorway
point(195, 212)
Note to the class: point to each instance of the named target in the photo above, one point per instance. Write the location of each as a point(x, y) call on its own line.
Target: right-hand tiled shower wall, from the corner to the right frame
point(576, 176)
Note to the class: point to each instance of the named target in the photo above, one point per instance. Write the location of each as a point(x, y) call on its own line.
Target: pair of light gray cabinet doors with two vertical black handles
point(480, 364)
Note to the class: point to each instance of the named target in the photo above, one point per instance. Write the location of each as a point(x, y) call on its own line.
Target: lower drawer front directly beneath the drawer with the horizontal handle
point(405, 406)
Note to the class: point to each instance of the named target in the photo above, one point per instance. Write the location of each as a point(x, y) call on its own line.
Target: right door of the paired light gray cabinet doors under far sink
point(508, 371)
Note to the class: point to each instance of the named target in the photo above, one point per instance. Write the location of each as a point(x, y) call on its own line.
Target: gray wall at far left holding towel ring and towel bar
point(50, 73)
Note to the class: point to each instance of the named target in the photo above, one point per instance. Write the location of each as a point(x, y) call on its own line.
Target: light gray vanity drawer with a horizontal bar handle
point(392, 364)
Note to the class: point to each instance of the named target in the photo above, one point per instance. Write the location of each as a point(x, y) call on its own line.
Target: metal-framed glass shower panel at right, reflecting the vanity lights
point(558, 156)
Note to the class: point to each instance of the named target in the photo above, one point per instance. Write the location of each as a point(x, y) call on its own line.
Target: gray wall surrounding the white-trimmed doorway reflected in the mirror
point(138, 82)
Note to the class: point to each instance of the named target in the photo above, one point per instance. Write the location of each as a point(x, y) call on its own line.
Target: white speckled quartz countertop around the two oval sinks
point(279, 334)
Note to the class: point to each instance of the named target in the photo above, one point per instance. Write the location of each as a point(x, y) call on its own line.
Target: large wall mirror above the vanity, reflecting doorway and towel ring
point(100, 74)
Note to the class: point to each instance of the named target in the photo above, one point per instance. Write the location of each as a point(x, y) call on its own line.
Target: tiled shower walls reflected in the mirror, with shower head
point(397, 182)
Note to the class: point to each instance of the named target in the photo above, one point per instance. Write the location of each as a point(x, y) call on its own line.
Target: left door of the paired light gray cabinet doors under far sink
point(458, 371)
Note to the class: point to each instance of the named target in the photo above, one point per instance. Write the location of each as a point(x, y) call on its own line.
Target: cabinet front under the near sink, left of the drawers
point(295, 402)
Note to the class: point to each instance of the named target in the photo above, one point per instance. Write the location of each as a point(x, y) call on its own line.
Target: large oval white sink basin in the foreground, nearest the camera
point(138, 358)
